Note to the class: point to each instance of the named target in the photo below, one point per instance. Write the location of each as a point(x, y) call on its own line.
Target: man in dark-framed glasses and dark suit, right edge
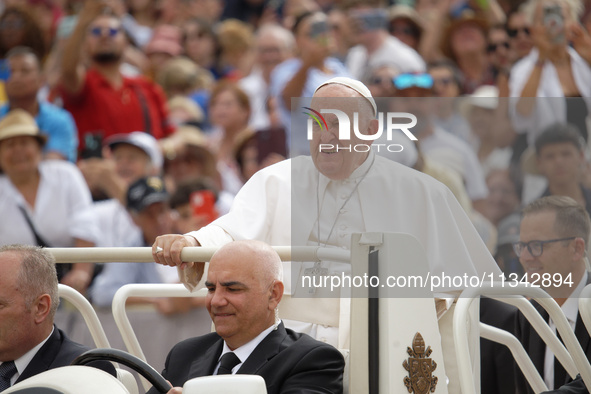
point(552, 250)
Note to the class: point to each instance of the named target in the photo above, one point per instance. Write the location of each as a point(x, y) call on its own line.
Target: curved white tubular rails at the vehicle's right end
point(573, 359)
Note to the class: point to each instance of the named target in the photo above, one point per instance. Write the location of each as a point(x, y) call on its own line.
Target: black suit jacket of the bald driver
point(288, 361)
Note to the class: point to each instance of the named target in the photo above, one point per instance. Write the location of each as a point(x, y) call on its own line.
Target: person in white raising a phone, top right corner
point(552, 69)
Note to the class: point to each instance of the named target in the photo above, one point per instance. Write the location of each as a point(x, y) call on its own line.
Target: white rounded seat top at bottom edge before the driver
point(226, 384)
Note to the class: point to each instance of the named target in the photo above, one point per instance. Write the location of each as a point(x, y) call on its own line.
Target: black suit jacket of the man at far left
point(59, 351)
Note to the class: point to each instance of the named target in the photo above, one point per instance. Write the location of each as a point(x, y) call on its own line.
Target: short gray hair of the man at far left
point(37, 274)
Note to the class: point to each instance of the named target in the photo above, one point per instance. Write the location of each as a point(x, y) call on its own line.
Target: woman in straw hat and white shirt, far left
point(45, 203)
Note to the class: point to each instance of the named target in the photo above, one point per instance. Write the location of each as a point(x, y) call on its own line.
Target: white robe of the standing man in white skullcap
point(279, 205)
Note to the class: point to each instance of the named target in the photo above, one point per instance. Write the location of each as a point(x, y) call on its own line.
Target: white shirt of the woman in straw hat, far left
point(63, 208)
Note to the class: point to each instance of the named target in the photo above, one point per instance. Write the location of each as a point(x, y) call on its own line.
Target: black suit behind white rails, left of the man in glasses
point(497, 365)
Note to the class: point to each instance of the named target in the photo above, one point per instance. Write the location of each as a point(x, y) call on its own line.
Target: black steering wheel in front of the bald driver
point(124, 358)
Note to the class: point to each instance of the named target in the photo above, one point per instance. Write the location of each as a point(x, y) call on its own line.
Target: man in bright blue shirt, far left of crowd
point(22, 87)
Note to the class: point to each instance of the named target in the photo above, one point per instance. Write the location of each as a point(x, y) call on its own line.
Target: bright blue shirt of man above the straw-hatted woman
point(59, 126)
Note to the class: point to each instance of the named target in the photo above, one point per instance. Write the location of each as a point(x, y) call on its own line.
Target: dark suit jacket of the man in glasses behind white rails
point(536, 348)
